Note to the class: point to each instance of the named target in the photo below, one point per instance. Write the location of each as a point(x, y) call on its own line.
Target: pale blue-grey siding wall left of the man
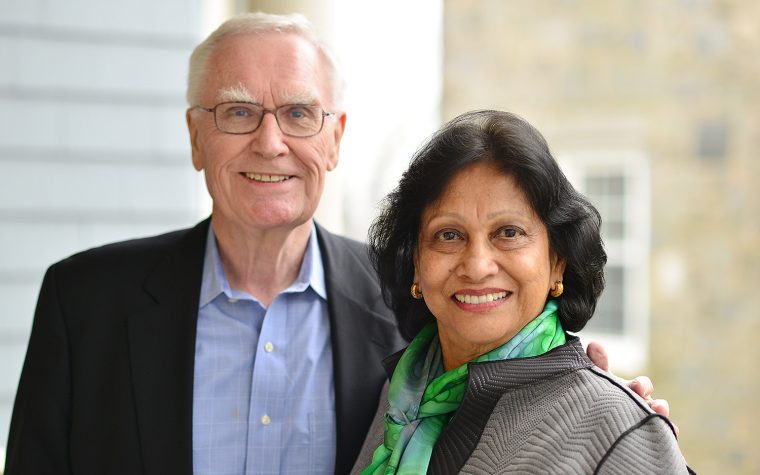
point(93, 146)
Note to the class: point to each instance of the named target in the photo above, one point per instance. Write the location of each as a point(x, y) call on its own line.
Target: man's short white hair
point(260, 23)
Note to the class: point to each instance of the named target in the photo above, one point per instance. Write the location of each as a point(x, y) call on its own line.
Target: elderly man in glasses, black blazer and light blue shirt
point(250, 343)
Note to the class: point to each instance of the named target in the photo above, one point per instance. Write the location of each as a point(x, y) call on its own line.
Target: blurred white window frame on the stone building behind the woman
point(629, 350)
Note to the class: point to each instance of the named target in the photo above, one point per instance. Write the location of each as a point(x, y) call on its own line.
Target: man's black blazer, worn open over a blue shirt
point(107, 384)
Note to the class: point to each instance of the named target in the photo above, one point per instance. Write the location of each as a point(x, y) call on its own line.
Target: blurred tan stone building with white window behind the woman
point(653, 108)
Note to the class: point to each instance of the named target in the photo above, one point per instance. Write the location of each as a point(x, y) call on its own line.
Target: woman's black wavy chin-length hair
point(519, 150)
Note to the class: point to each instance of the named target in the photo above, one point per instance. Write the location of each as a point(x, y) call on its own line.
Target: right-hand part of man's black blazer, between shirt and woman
point(362, 332)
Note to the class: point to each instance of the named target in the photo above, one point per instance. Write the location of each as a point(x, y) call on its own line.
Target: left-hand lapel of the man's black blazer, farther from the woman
point(162, 354)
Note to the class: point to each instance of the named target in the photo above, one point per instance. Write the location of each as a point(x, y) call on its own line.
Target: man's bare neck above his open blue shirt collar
point(261, 262)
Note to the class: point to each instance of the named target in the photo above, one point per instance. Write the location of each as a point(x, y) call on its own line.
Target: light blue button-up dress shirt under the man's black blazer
point(263, 395)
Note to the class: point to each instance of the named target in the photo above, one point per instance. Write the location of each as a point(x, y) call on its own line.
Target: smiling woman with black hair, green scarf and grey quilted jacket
point(502, 256)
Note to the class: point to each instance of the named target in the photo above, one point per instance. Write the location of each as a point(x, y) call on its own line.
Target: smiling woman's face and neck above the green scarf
point(483, 262)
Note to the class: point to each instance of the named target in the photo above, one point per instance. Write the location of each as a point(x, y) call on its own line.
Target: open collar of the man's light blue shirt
point(311, 273)
